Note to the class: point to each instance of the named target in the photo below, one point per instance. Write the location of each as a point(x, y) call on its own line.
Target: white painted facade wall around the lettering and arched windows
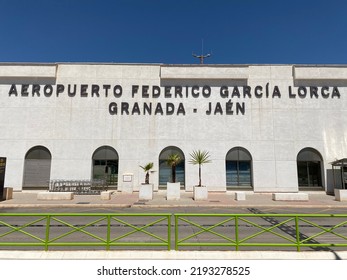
point(273, 130)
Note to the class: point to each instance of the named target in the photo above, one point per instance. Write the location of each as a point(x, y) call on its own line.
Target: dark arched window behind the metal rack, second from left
point(105, 165)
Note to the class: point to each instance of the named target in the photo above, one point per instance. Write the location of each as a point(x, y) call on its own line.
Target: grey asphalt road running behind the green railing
point(251, 230)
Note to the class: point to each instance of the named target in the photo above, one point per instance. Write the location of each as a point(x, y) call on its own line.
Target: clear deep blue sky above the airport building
point(160, 31)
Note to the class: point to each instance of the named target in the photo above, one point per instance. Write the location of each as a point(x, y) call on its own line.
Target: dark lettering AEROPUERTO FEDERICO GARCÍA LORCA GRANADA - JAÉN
point(171, 100)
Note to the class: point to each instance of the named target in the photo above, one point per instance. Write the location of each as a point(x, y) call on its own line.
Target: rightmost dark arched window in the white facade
point(309, 164)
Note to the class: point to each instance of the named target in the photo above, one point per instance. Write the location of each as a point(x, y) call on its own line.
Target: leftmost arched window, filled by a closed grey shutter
point(37, 168)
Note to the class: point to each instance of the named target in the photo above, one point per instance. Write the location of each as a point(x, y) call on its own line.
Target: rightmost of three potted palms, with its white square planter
point(200, 157)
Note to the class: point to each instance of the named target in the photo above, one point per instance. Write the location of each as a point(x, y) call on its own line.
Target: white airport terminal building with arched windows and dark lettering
point(267, 128)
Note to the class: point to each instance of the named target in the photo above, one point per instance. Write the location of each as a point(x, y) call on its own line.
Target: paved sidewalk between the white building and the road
point(215, 199)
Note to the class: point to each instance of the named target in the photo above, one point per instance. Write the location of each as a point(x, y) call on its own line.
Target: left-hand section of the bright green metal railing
point(84, 230)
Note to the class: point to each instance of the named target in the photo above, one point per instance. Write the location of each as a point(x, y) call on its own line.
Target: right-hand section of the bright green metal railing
point(317, 231)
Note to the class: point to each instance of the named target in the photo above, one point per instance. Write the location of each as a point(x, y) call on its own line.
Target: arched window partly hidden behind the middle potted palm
point(165, 169)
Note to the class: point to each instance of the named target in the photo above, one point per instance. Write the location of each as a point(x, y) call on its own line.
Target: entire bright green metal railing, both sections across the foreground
point(148, 230)
